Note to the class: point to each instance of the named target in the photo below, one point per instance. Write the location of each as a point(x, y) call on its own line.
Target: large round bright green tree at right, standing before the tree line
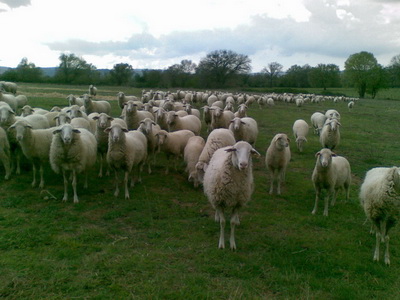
point(361, 71)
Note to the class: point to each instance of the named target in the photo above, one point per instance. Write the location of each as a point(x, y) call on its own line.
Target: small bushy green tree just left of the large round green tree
point(324, 76)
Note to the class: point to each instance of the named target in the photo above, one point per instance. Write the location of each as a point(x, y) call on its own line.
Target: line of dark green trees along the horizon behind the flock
point(221, 69)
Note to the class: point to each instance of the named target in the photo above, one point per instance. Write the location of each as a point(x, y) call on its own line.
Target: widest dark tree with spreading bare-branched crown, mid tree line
point(222, 66)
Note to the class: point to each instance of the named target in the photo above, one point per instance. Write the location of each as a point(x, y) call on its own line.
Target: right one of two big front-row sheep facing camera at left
point(126, 150)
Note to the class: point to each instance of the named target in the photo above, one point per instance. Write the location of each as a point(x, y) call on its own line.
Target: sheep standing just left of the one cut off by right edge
point(332, 173)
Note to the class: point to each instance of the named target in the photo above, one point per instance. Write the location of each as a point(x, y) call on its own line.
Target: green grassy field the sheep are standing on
point(162, 244)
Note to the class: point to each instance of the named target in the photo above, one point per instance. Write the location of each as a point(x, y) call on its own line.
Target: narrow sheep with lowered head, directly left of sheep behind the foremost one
point(191, 154)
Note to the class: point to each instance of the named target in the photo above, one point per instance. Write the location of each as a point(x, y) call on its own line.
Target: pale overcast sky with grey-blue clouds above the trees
point(159, 33)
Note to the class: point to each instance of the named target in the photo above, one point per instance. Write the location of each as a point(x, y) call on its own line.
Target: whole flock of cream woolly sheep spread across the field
point(73, 138)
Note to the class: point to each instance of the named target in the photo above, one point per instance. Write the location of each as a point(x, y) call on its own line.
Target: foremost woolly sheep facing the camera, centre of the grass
point(228, 185)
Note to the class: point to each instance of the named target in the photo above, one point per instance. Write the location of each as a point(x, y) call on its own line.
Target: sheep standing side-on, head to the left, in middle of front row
point(173, 144)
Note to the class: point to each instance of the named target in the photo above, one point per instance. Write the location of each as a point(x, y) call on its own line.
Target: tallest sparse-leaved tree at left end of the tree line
point(74, 69)
